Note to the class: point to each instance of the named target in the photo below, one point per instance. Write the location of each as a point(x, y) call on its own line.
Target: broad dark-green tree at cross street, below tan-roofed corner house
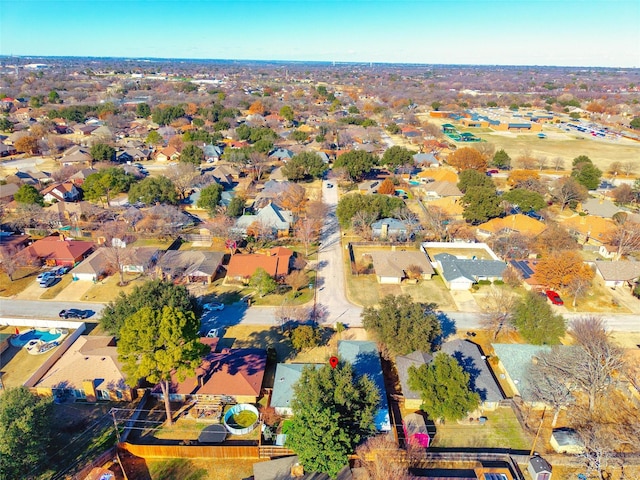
point(403, 325)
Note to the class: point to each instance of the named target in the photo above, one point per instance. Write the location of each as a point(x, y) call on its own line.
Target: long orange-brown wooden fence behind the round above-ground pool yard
point(191, 451)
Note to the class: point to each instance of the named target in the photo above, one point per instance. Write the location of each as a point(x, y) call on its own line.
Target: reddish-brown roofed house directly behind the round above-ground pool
point(231, 376)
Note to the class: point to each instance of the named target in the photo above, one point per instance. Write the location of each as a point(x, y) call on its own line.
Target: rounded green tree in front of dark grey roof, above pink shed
point(444, 388)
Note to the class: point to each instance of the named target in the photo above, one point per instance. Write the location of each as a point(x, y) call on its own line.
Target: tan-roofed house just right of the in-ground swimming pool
point(88, 370)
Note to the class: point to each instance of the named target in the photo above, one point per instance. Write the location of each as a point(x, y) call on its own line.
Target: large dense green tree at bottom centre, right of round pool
point(333, 412)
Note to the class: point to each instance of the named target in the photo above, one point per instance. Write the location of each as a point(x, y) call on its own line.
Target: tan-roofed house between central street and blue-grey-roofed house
point(391, 266)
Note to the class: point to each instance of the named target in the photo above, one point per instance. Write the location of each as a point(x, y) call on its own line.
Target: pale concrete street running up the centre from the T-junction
point(332, 303)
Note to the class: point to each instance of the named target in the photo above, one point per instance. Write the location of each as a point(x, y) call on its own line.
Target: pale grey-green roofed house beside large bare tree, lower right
point(514, 360)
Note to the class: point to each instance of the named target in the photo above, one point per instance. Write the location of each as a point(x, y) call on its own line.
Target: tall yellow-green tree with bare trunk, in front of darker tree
point(156, 344)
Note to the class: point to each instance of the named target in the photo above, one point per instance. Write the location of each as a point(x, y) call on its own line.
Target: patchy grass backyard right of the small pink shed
point(501, 430)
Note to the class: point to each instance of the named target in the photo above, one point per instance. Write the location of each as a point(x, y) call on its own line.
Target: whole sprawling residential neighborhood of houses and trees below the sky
point(221, 267)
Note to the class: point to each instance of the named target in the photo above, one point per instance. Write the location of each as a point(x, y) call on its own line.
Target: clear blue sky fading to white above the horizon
point(516, 32)
